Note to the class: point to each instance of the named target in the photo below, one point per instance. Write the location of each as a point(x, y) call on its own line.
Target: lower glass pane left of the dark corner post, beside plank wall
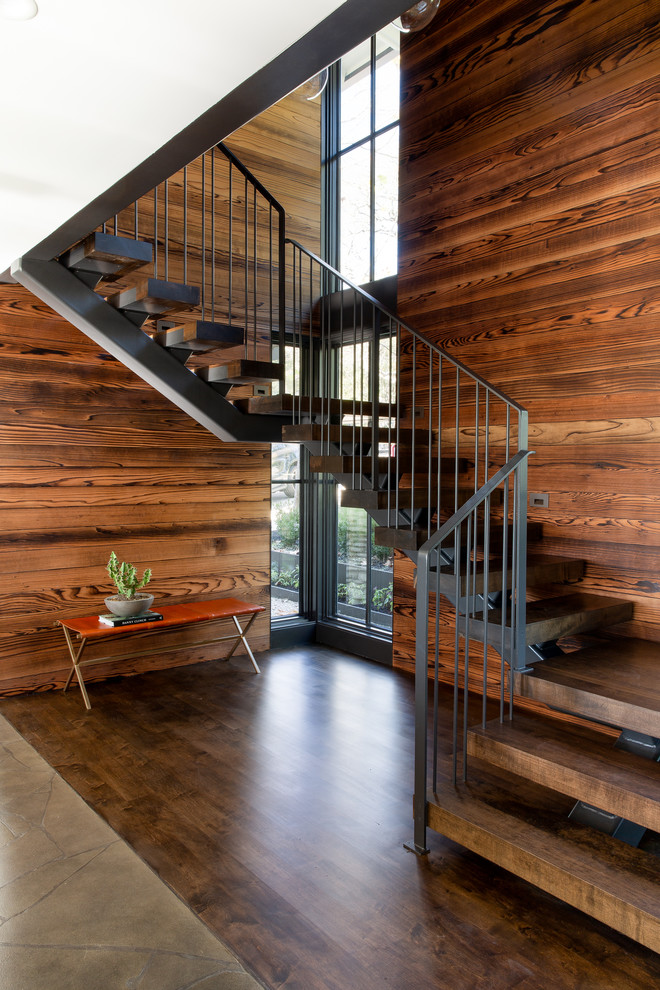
point(285, 549)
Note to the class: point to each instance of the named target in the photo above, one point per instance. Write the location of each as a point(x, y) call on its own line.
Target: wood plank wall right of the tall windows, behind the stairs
point(529, 244)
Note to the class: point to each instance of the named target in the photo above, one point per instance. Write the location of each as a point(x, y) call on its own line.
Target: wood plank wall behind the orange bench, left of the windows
point(94, 459)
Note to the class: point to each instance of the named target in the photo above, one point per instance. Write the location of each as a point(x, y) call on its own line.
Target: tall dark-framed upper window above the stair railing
point(361, 159)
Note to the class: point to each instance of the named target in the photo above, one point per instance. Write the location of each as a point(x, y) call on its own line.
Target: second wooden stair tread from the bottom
point(574, 760)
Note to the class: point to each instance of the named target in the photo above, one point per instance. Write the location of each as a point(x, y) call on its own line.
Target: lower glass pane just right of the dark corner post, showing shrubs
point(352, 563)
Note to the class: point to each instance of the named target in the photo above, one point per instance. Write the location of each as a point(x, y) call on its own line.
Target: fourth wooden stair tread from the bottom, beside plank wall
point(552, 618)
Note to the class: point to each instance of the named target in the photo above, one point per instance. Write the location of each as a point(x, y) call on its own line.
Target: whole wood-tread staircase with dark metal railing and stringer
point(258, 339)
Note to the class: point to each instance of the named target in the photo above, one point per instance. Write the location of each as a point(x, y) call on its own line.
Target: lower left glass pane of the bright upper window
point(355, 214)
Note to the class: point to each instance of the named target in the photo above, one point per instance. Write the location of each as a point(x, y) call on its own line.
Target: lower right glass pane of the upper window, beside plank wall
point(386, 203)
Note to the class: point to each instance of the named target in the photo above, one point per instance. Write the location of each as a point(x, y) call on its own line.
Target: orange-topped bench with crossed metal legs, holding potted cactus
point(90, 628)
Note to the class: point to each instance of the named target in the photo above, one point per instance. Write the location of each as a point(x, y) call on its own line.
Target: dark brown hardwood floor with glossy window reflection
point(277, 807)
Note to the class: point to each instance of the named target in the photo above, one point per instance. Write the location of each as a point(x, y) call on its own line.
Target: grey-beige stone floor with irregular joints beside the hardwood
point(78, 908)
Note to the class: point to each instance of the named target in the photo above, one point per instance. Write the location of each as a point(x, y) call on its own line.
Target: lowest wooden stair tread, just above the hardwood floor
point(522, 829)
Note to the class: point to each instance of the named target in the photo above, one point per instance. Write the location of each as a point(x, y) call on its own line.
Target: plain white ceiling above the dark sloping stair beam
point(88, 90)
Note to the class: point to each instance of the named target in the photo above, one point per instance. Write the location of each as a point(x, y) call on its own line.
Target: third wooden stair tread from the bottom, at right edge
point(616, 683)
